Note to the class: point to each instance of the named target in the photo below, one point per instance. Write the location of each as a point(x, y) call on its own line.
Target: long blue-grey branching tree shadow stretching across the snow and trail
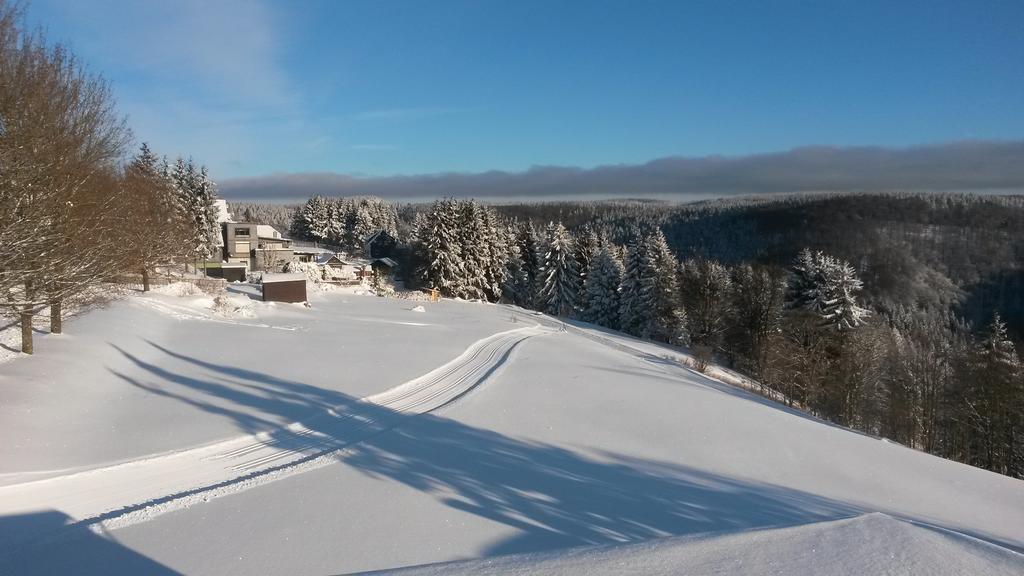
point(553, 497)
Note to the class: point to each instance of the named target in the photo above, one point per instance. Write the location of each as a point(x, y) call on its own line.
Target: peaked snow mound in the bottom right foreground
point(873, 544)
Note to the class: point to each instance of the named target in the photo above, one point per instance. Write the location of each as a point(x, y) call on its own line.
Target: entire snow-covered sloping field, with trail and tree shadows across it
point(166, 434)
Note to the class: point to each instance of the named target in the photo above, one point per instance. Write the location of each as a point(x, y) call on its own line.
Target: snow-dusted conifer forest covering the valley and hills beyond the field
point(899, 315)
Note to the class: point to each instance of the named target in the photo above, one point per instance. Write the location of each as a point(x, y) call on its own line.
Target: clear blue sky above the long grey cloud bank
point(382, 89)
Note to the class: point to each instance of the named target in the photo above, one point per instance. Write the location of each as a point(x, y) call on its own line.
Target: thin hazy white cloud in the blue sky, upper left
point(199, 78)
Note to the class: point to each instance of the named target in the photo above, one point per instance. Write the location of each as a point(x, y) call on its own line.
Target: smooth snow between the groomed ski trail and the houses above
point(135, 379)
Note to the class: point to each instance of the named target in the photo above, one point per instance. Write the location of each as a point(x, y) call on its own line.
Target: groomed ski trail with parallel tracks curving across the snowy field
point(131, 492)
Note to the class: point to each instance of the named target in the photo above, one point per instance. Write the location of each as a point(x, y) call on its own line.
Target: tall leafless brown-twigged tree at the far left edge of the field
point(60, 139)
